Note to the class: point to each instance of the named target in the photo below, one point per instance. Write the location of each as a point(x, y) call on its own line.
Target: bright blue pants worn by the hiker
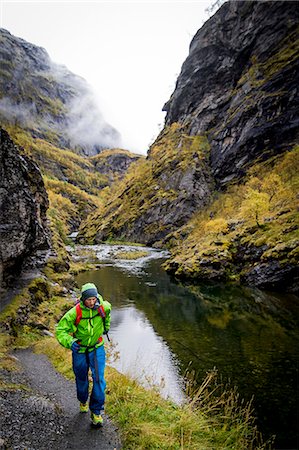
point(81, 363)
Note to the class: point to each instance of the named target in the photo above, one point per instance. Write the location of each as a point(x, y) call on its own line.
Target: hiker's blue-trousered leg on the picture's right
point(97, 398)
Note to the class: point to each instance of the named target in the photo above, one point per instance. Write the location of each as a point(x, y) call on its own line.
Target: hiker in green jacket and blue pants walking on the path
point(81, 329)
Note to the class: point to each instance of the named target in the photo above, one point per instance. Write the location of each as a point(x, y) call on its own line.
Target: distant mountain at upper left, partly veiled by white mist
point(48, 100)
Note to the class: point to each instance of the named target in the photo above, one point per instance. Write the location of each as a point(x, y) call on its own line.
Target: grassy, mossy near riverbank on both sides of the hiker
point(145, 419)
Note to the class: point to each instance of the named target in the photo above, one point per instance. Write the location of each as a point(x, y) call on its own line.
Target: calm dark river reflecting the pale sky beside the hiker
point(162, 328)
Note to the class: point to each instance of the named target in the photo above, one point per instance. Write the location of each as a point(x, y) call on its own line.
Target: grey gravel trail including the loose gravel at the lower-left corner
point(48, 416)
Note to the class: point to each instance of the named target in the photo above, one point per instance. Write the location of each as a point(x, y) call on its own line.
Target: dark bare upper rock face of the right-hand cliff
point(239, 85)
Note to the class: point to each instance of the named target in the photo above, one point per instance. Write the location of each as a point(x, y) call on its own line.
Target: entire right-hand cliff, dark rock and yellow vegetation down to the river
point(232, 119)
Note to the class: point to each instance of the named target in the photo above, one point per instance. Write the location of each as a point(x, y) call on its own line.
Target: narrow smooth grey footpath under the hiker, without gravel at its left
point(77, 432)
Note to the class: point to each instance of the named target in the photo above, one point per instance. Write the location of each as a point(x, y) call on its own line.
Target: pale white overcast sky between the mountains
point(129, 52)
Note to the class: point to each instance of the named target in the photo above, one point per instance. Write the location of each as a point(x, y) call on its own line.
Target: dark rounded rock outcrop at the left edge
point(23, 205)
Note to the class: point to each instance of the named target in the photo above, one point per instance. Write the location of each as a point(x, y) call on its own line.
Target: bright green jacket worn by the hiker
point(89, 329)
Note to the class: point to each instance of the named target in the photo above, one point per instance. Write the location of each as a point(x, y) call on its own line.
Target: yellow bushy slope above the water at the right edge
point(251, 224)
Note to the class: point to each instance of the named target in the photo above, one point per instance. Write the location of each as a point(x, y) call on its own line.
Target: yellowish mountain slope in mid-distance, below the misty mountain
point(77, 185)
